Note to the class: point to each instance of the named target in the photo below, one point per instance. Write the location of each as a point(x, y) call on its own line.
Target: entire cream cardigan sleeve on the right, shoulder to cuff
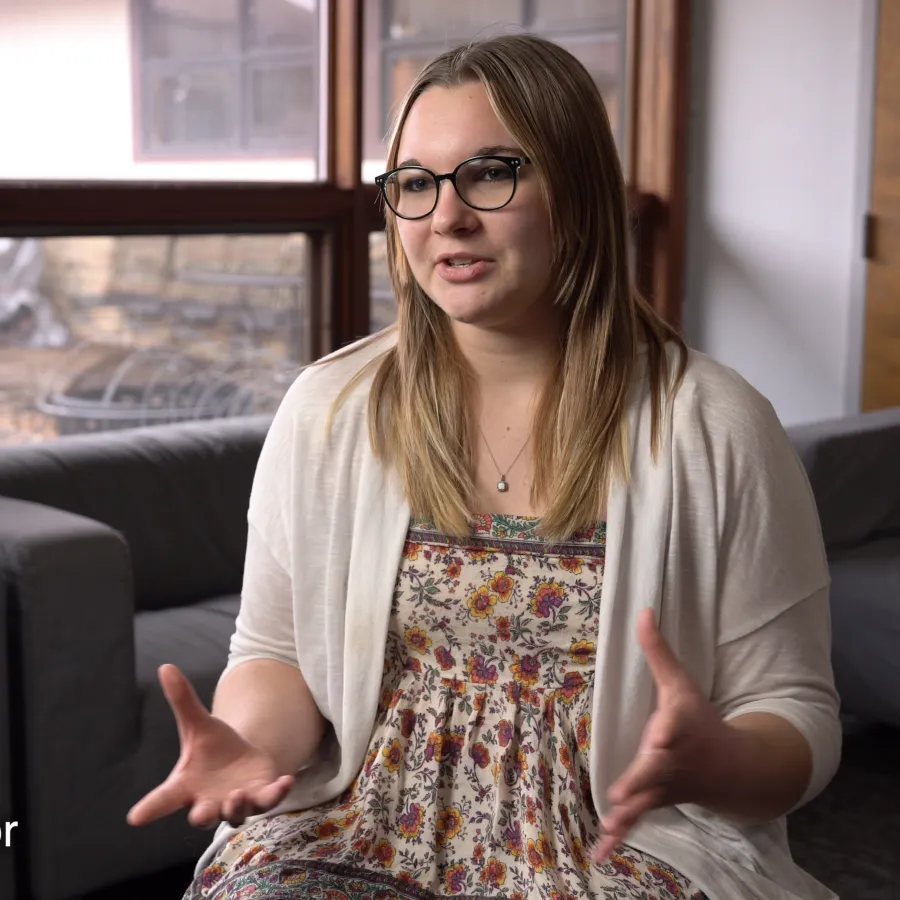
point(771, 621)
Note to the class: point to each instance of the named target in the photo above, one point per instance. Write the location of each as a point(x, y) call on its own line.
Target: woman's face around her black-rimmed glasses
point(508, 287)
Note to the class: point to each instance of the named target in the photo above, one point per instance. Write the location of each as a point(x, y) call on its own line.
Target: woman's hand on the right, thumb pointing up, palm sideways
point(684, 751)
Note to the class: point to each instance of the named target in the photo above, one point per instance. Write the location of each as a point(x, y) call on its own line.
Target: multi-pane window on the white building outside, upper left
point(227, 77)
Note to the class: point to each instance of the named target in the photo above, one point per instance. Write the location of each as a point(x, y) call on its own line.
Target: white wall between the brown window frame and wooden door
point(779, 147)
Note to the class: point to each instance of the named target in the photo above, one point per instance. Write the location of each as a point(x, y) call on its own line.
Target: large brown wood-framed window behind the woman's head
point(191, 214)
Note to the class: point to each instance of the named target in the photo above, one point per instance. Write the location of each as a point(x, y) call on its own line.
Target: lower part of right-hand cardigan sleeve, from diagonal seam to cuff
point(784, 668)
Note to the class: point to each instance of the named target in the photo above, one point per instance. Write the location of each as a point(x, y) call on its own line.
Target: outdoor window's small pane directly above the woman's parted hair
point(436, 18)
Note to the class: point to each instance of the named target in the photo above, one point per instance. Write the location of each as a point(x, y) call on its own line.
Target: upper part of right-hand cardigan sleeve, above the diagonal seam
point(747, 485)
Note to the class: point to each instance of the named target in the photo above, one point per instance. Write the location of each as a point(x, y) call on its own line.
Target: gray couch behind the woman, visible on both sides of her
point(123, 551)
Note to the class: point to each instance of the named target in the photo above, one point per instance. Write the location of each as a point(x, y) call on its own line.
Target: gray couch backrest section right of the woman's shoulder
point(853, 465)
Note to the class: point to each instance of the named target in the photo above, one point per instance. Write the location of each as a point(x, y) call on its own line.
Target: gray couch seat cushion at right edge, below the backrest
point(865, 605)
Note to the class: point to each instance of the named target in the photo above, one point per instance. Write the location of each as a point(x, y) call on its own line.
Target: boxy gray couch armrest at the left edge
point(73, 696)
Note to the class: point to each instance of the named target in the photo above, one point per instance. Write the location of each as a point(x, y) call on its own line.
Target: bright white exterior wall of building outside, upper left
point(67, 108)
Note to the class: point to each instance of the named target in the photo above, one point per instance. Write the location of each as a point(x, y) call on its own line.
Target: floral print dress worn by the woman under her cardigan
point(476, 781)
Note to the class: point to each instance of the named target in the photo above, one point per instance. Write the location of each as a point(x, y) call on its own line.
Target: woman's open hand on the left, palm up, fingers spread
point(219, 776)
